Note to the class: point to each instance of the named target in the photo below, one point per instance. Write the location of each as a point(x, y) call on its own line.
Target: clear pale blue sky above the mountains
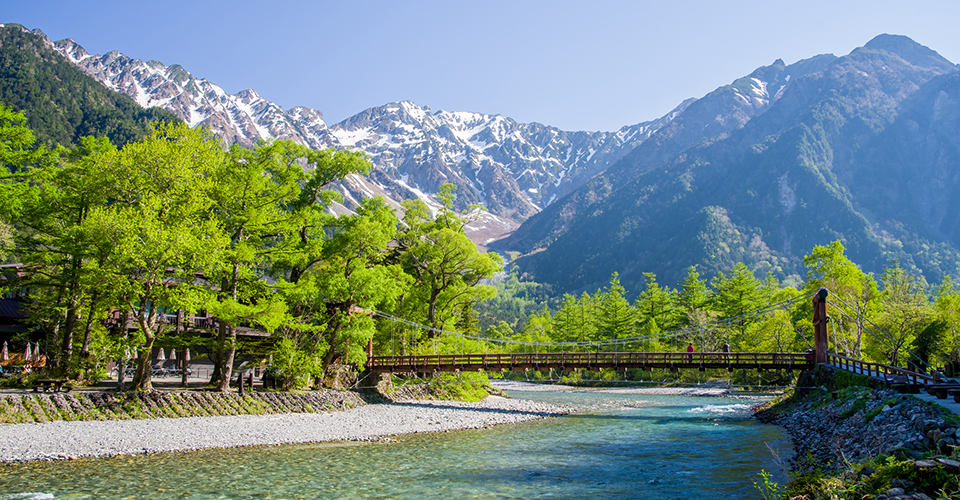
point(576, 65)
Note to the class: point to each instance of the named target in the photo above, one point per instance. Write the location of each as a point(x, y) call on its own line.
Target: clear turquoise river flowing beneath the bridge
point(626, 446)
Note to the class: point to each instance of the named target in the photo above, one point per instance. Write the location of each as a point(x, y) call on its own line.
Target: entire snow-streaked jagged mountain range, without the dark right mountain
point(512, 169)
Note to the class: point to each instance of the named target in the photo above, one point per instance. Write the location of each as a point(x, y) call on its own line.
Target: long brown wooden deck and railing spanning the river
point(588, 361)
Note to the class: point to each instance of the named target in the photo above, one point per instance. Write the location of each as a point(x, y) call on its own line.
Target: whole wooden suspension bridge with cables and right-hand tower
point(569, 356)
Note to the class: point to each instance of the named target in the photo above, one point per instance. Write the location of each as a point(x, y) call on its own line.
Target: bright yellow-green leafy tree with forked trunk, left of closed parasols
point(156, 234)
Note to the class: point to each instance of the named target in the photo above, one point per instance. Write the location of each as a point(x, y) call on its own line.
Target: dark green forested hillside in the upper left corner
point(60, 102)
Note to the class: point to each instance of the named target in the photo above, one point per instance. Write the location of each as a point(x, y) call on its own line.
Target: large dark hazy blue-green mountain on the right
point(863, 149)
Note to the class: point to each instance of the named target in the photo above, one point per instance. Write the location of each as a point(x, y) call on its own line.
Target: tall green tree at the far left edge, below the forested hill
point(48, 197)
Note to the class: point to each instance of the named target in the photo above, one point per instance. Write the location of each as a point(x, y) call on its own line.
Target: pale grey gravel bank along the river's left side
point(71, 439)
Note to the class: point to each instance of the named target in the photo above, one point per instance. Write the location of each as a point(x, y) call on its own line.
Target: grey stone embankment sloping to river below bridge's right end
point(839, 424)
